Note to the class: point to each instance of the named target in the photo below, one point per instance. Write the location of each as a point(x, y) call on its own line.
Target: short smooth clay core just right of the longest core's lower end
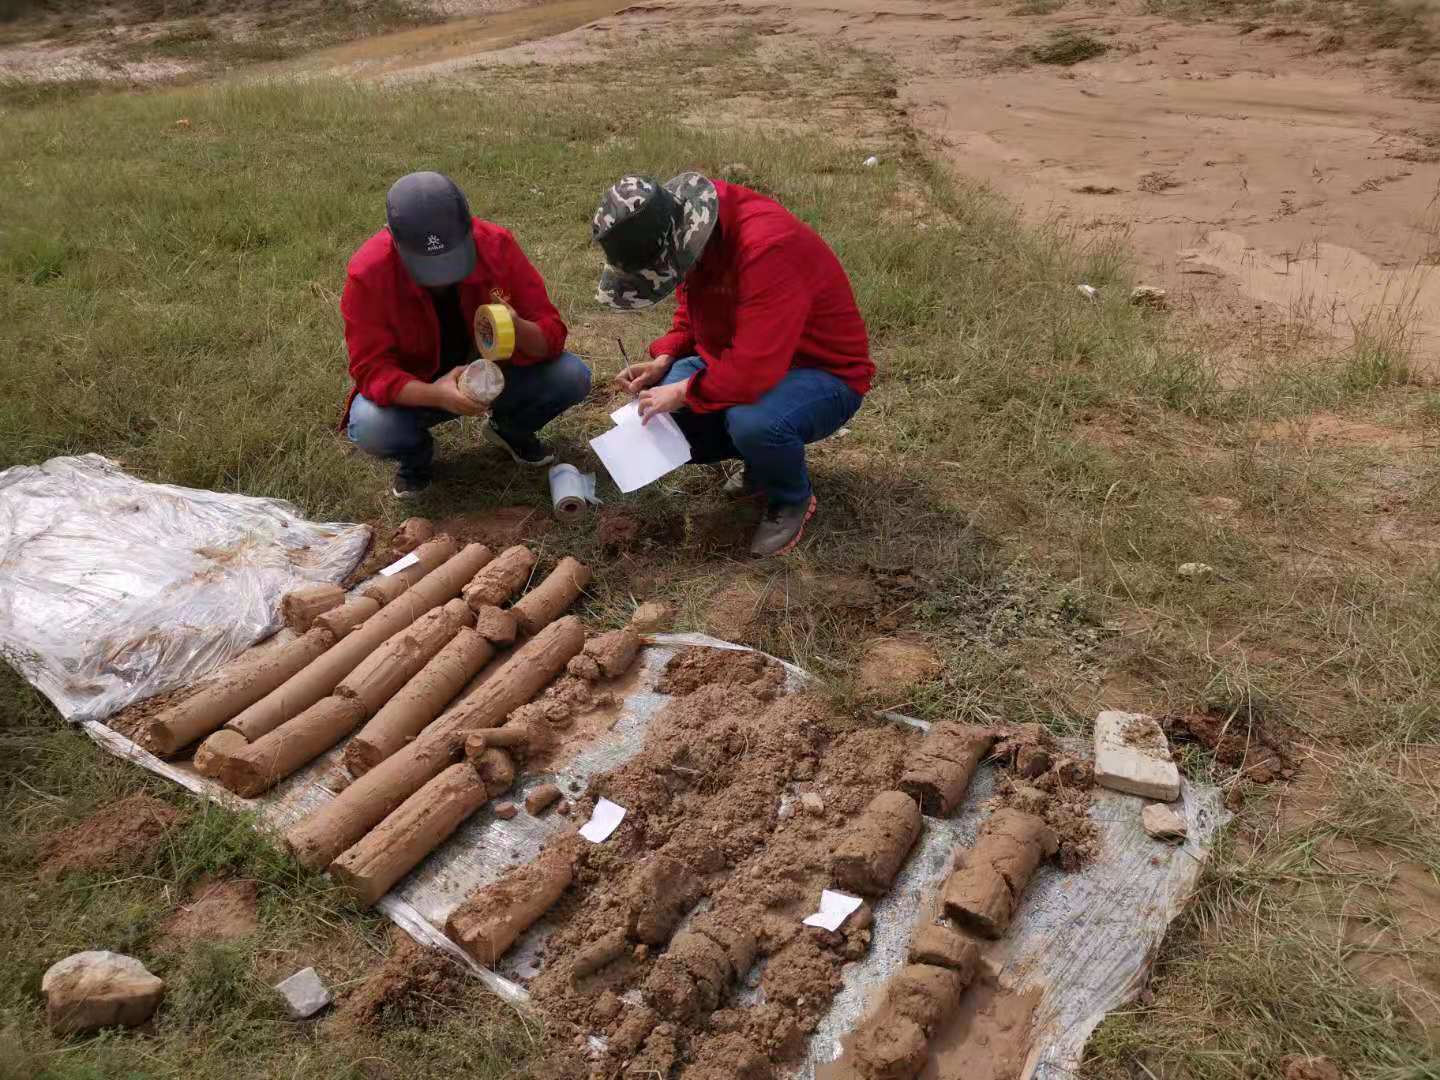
point(402, 842)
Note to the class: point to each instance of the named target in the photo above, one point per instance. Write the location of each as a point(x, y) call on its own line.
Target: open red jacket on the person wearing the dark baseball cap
point(392, 332)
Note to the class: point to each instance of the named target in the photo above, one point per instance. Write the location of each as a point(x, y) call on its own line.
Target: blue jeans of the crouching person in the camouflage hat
point(770, 436)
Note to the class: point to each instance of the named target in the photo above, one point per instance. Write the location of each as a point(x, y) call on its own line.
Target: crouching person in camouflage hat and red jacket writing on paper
point(767, 352)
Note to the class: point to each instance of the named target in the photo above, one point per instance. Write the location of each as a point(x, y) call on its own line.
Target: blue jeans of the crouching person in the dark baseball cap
point(534, 397)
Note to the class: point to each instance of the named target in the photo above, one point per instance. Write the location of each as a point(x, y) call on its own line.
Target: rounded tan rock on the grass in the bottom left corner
point(99, 990)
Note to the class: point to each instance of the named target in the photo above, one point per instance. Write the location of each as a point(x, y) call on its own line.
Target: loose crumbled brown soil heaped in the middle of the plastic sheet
point(703, 803)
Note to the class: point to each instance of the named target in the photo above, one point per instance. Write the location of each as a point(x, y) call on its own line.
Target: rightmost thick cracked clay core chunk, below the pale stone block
point(986, 892)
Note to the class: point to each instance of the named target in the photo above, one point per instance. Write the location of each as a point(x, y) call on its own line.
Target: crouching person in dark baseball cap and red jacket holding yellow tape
point(410, 309)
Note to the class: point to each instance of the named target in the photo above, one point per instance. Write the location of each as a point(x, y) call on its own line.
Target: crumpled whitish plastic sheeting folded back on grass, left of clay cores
point(113, 590)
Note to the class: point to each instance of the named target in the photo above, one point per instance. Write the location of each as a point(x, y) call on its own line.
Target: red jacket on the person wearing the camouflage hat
point(767, 296)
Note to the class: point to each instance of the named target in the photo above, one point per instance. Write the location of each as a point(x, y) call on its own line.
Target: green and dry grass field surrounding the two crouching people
point(171, 270)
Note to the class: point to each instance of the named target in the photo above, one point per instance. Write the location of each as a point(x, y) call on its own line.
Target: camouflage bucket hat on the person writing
point(652, 235)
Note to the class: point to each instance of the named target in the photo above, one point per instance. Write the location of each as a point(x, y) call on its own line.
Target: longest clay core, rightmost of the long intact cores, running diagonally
point(325, 834)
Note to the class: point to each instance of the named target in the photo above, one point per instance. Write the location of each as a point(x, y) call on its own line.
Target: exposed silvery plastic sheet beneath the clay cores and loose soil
point(1085, 940)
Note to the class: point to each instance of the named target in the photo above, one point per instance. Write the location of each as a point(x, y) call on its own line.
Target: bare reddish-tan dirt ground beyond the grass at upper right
point(1251, 172)
